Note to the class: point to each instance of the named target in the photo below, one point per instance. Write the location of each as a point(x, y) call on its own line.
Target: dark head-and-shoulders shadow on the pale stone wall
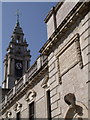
point(76, 110)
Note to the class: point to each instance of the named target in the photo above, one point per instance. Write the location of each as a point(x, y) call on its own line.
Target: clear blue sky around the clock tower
point(32, 15)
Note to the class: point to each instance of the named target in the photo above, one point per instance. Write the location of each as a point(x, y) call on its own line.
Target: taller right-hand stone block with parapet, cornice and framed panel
point(67, 50)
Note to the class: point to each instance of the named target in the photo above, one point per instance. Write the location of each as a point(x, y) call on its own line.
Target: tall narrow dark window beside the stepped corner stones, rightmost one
point(48, 105)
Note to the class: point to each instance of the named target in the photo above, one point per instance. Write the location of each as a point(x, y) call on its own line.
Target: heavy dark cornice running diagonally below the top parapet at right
point(81, 7)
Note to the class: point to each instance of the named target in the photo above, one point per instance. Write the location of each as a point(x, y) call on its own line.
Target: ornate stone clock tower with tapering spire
point(17, 58)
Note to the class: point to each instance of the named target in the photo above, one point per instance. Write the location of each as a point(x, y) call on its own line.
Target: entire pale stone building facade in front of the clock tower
point(57, 84)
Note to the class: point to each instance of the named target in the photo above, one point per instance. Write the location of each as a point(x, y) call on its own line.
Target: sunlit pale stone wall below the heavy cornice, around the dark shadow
point(68, 67)
